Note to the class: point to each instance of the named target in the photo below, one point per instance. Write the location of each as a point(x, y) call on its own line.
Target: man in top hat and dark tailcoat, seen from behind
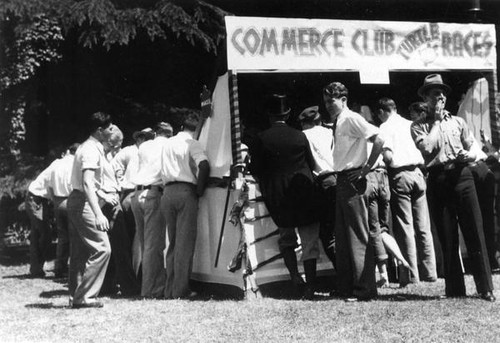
point(283, 163)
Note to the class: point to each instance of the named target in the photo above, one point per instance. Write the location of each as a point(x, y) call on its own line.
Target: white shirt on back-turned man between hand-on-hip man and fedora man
point(396, 132)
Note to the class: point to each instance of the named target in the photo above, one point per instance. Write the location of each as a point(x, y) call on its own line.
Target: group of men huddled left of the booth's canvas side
point(122, 209)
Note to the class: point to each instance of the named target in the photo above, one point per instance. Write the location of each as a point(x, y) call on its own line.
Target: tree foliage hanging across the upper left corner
point(32, 32)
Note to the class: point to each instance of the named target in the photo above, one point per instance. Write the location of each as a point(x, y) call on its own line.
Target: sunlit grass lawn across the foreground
point(36, 310)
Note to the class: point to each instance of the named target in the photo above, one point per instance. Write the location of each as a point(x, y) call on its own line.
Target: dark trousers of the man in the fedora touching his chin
point(452, 196)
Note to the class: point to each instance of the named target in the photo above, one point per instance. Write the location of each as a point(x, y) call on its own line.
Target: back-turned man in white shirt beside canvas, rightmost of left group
point(185, 171)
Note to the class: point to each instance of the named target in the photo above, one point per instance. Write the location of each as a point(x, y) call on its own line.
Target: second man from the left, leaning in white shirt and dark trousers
point(60, 183)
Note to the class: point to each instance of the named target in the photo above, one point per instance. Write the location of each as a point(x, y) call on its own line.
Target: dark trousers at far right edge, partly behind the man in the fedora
point(484, 180)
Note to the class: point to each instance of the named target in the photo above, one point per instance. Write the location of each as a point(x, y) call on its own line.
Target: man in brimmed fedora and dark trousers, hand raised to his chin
point(445, 142)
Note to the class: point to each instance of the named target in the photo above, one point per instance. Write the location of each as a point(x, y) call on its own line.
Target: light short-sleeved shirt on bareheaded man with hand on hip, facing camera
point(351, 137)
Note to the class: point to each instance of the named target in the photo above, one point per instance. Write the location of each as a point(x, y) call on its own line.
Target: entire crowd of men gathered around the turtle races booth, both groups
point(340, 181)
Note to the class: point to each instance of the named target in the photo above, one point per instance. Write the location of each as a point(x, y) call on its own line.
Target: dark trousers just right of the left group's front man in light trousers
point(120, 271)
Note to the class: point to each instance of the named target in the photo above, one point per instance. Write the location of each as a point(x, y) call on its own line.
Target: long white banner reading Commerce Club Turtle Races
point(255, 43)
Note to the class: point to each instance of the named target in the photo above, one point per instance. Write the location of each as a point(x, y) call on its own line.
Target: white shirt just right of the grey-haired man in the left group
point(126, 165)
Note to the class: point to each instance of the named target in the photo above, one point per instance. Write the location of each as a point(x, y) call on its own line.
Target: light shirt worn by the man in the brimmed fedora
point(454, 136)
